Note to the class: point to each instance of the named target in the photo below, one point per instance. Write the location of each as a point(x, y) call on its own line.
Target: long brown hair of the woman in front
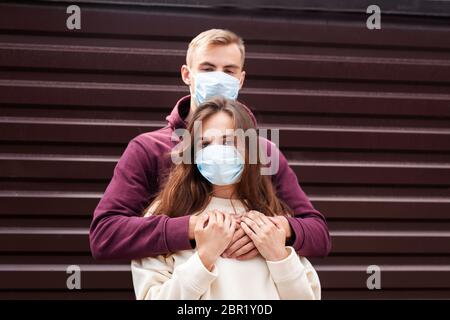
point(186, 191)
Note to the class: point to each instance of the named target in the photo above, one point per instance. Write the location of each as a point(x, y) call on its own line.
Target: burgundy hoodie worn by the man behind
point(118, 230)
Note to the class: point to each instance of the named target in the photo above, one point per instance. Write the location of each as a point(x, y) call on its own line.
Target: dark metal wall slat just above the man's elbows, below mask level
point(50, 203)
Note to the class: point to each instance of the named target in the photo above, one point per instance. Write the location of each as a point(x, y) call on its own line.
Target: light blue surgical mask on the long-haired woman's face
point(219, 164)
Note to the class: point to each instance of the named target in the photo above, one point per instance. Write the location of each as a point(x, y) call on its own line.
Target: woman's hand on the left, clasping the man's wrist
point(213, 233)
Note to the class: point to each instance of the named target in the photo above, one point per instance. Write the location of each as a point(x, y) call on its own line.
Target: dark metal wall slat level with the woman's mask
point(101, 168)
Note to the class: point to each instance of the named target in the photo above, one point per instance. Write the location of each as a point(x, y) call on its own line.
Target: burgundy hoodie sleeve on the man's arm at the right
point(310, 236)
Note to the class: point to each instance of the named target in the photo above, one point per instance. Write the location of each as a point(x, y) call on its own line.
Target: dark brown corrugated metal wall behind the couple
point(364, 118)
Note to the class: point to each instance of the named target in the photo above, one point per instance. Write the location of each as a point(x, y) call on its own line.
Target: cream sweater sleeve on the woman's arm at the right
point(295, 278)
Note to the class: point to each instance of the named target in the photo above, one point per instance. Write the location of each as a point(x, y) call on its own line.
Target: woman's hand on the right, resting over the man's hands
point(267, 234)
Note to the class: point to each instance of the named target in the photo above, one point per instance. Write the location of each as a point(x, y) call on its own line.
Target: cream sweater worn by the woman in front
point(182, 275)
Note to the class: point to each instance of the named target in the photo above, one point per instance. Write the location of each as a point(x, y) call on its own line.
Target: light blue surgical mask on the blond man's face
point(215, 83)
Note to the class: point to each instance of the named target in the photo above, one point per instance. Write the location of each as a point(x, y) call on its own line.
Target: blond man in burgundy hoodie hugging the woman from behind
point(214, 64)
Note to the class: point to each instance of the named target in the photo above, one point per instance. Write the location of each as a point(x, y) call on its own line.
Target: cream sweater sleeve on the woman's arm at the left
point(156, 279)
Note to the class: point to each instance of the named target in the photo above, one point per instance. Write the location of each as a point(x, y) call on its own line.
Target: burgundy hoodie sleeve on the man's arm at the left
point(118, 231)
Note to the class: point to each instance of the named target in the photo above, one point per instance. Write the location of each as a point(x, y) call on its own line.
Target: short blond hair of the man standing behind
point(214, 37)
